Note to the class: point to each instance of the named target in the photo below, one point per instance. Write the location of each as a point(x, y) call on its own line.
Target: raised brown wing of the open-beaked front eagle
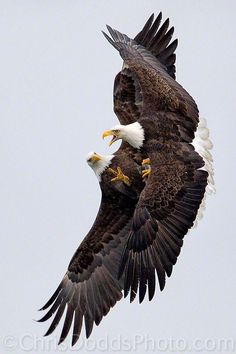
point(157, 92)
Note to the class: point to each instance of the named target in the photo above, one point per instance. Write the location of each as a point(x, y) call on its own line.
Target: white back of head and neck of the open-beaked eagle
point(133, 134)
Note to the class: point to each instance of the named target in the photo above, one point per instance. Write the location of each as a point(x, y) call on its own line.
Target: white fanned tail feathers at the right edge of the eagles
point(203, 145)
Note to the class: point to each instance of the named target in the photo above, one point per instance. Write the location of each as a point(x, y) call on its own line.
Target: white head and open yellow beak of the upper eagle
point(132, 133)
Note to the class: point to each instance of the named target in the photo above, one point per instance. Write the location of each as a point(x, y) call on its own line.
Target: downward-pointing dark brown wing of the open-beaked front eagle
point(166, 210)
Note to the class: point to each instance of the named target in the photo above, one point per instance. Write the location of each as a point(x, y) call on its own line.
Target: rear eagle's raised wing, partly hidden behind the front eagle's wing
point(127, 93)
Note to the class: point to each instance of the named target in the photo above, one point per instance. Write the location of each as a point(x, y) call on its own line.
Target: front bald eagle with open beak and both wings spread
point(165, 124)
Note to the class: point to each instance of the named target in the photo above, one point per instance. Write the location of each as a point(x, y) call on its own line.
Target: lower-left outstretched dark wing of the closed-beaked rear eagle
point(90, 286)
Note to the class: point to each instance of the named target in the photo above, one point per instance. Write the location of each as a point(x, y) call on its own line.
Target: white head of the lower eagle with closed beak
point(98, 163)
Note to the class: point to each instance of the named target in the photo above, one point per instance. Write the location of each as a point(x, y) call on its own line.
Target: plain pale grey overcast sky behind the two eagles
point(57, 75)
